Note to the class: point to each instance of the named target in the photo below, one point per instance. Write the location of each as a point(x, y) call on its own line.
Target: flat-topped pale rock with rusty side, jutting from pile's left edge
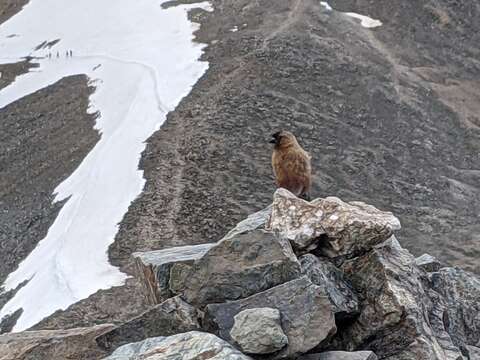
point(154, 268)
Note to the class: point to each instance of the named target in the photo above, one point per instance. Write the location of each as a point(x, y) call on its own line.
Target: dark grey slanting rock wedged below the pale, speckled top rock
point(326, 275)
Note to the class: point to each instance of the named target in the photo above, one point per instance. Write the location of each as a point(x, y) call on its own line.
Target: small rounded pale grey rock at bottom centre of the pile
point(258, 331)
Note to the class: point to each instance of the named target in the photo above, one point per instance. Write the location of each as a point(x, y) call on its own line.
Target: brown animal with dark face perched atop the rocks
point(291, 164)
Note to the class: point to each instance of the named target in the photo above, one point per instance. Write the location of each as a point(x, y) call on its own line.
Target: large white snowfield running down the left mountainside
point(142, 60)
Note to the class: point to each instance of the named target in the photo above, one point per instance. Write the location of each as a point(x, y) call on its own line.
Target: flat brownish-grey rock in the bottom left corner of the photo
point(76, 343)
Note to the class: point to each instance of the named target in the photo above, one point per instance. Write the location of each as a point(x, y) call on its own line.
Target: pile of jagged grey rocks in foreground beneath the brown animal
point(320, 280)
